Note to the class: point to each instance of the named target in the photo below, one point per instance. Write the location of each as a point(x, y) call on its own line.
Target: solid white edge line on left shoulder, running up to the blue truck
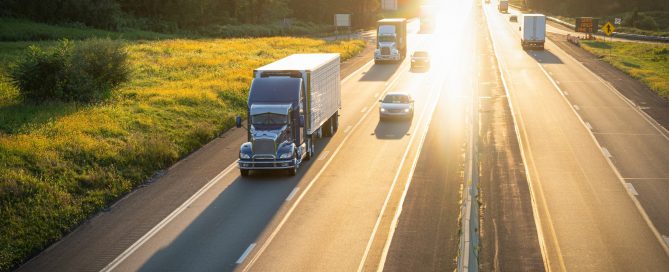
point(129, 251)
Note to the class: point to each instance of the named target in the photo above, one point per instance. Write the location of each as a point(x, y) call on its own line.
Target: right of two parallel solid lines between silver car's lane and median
point(398, 211)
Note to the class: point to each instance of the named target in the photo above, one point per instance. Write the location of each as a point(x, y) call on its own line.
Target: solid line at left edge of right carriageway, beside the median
point(533, 197)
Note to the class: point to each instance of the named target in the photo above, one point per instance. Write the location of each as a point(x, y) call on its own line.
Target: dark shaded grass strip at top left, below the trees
point(24, 30)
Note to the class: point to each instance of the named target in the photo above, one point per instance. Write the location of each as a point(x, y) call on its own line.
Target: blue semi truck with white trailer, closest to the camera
point(291, 103)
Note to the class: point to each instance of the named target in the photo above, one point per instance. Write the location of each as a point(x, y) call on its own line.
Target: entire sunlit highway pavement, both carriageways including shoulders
point(573, 176)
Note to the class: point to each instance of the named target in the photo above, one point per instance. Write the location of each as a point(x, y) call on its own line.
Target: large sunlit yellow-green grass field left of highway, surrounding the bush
point(62, 162)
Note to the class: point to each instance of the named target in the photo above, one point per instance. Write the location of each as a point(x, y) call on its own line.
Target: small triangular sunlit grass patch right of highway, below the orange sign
point(648, 63)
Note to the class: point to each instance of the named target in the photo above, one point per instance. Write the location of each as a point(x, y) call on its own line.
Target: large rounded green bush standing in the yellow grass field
point(86, 72)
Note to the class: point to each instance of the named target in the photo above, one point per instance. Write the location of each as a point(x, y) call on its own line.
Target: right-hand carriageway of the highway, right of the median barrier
point(580, 142)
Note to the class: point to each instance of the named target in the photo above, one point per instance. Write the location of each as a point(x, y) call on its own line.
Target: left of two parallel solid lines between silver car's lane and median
point(361, 265)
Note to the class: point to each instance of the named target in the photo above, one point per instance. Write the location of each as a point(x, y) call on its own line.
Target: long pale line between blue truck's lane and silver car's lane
point(311, 183)
